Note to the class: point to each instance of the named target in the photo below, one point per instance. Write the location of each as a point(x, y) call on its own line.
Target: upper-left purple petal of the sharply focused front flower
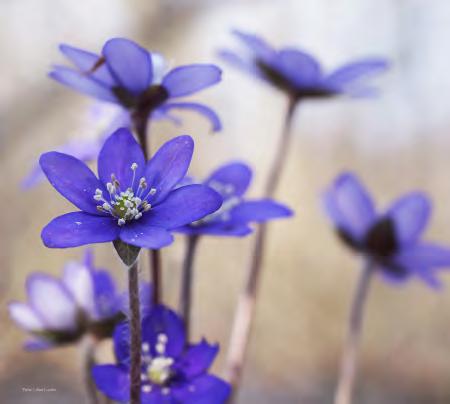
point(72, 179)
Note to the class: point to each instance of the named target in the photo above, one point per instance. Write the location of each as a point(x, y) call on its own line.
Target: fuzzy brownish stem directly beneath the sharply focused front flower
point(135, 335)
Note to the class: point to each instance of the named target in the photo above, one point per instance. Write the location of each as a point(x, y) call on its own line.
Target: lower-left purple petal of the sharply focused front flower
point(78, 228)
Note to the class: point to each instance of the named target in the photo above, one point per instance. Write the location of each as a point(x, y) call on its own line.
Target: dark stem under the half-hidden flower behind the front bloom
point(186, 282)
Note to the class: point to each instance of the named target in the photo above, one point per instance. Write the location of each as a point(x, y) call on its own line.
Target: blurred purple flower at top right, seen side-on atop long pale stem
point(298, 73)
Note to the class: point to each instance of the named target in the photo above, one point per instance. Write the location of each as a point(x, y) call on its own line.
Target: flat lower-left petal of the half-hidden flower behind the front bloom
point(217, 228)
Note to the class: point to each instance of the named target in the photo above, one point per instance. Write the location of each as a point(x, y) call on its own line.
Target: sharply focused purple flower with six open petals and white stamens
point(133, 200)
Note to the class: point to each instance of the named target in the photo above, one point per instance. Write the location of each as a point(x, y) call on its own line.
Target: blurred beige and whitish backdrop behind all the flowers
point(396, 142)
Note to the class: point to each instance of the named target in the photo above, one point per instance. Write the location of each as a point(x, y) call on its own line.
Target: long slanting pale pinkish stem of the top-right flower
point(245, 310)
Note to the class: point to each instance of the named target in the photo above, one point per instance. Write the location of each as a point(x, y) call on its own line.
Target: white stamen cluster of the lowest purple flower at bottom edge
point(158, 368)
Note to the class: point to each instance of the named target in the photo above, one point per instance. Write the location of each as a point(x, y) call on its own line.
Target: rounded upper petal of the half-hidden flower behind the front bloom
point(230, 179)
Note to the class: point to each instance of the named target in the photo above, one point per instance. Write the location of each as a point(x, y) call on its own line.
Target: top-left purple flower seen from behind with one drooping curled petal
point(129, 75)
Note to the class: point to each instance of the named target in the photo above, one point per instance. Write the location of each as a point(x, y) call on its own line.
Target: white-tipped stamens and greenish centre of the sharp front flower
point(125, 205)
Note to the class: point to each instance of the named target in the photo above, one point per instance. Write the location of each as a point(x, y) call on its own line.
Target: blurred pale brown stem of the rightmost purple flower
point(348, 365)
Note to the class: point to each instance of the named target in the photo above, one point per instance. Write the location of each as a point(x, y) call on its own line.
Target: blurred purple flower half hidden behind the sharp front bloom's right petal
point(236, 213)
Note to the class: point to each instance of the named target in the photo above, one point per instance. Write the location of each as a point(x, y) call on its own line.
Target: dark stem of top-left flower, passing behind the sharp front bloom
point(140, 120)
